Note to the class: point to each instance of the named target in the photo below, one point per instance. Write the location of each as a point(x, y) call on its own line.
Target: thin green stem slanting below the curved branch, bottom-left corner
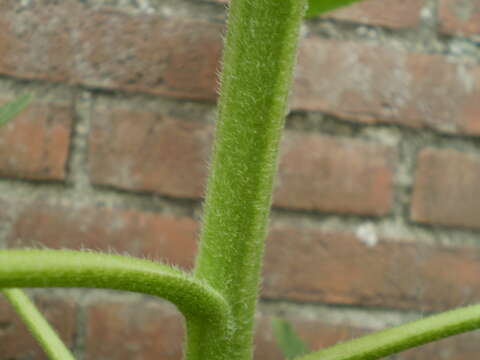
point(38, 326)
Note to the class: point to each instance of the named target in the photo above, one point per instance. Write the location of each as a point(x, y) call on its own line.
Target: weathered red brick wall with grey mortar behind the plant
point(376, 216)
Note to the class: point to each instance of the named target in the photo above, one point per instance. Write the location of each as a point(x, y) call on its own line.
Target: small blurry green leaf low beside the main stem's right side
point(292, 346)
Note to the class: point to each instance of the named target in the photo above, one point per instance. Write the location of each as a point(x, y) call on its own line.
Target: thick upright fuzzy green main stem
point(260, 53)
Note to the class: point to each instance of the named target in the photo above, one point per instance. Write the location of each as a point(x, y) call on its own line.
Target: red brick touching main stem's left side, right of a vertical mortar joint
point(148, 152)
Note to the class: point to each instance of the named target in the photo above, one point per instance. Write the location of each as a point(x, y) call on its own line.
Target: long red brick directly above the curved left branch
point(142, 234)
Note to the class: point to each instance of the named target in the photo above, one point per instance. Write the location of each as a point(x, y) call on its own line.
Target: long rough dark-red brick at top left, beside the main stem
point(106, 48)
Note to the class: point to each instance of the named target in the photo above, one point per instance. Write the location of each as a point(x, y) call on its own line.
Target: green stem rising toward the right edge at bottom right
point(393, 340)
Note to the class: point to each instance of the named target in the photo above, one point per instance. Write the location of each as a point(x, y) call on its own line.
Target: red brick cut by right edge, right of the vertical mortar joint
point(447, 188)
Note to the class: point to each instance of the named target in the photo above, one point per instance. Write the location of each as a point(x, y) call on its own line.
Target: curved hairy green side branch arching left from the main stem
point(201, 305)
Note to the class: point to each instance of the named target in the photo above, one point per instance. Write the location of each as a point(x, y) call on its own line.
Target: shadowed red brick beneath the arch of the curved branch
point(143, 330)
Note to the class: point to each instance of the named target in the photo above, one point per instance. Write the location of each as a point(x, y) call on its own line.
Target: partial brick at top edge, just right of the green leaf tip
point(390, 13)
